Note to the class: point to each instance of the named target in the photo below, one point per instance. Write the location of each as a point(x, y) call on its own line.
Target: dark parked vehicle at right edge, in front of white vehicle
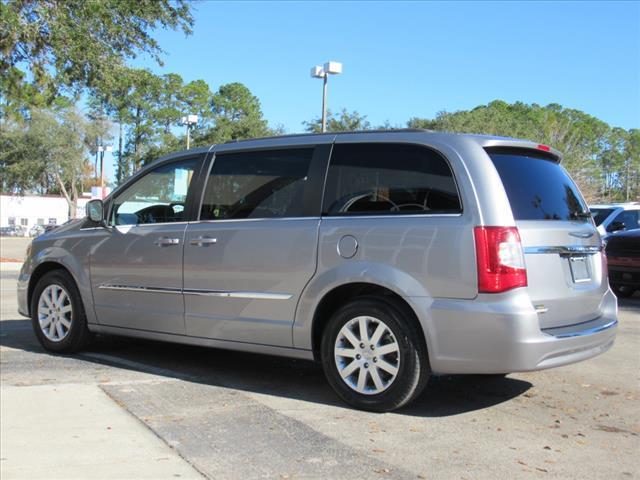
point(623, 258)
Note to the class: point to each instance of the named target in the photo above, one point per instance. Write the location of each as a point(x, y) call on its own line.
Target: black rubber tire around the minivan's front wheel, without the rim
point(78, 335)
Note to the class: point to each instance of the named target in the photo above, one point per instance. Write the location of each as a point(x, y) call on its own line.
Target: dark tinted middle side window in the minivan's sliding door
point(264, 184)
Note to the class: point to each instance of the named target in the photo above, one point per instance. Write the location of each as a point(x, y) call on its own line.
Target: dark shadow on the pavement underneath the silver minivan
point(295, 379)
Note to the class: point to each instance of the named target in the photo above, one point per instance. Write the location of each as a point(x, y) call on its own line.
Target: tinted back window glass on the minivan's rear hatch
point(538, 188)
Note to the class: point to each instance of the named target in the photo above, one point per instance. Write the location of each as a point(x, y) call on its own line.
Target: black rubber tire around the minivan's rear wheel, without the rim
point(413, 369)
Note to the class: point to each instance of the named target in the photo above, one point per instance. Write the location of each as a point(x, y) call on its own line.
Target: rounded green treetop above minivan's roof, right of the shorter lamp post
point(236, 115)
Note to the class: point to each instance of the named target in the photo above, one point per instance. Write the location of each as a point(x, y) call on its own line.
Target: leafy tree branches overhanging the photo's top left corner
point(48, 46)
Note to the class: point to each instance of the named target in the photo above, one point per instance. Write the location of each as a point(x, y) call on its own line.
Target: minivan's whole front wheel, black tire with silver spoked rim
point(57, 314)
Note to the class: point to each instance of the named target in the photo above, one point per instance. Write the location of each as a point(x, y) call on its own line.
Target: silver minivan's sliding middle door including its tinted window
point(254, 247)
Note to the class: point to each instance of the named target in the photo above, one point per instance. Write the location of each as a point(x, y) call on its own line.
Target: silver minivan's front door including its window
point(136, 270)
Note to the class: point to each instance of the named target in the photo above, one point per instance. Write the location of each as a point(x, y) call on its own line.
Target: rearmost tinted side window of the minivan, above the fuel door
point(388, 179)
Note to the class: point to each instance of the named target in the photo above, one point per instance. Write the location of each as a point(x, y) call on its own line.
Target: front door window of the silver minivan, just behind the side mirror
point(158, 197)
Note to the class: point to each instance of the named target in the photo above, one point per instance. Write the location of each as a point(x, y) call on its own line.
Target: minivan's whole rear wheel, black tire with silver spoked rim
point(374, 355)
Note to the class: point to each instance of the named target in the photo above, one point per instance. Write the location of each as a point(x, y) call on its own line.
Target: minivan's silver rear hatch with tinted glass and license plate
point(566, 281)
